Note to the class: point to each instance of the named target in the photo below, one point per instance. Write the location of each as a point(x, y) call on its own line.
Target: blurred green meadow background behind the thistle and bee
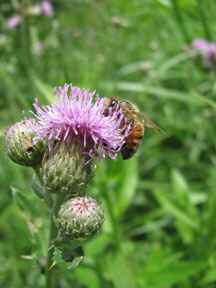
point(160, 229)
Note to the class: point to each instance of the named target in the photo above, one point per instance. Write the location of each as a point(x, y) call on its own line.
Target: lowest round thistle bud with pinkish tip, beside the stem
point(79, 218)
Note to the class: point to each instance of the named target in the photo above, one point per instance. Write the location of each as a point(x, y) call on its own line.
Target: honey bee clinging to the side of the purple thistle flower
point(133, 117)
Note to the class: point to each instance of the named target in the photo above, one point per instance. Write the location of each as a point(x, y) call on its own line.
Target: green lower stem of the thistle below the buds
point(49, 269)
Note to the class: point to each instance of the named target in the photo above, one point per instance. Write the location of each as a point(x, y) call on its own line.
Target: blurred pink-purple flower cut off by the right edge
point(206, 49)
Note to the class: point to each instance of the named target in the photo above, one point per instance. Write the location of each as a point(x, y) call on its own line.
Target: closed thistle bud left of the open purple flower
point(20, 146)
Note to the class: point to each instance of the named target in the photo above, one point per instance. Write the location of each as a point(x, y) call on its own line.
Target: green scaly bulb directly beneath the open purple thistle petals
point(66, 169)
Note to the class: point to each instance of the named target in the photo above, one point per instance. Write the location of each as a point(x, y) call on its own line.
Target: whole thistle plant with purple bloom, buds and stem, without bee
point(62, 142)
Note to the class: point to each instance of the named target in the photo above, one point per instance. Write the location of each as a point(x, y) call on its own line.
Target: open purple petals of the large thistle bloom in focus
point(79, 115)
